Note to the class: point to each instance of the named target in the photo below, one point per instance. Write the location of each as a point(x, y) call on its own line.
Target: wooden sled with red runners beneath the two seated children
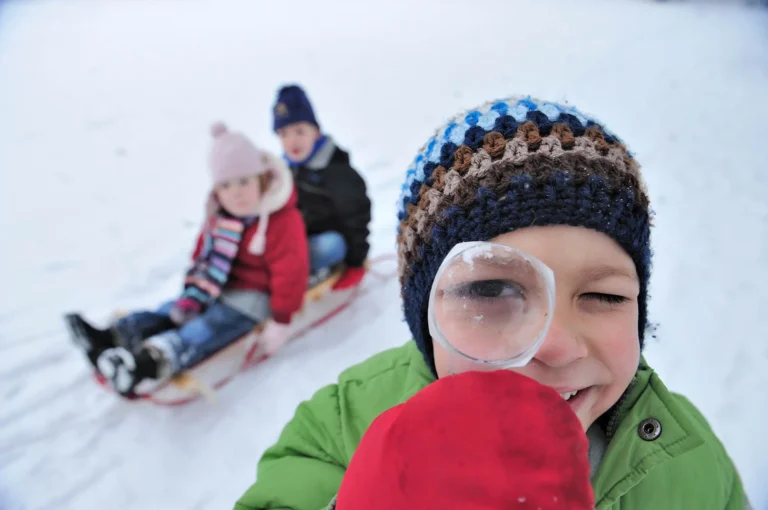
point(321, 304)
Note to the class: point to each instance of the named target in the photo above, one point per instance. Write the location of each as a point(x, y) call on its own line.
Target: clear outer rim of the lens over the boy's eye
point(526, 356)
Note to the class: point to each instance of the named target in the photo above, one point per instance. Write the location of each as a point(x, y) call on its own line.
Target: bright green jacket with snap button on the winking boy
point(686, 467)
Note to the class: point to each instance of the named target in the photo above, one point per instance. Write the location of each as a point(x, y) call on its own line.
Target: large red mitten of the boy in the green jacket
point(476, 440)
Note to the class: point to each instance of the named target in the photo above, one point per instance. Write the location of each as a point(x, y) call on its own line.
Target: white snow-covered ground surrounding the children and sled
point(104, 114)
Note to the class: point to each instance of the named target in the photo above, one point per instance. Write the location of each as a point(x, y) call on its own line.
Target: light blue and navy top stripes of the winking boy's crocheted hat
point(469, 128)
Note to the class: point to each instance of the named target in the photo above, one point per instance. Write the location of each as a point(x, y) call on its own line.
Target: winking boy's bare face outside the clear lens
point(592, 344)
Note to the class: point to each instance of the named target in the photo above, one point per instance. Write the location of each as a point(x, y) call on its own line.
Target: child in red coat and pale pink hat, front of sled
point(250, 267)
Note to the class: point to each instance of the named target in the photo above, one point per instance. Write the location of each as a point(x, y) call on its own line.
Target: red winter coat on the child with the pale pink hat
point(282, 271)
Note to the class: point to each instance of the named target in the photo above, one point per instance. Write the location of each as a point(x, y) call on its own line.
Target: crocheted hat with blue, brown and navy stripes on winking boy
point(511, 164)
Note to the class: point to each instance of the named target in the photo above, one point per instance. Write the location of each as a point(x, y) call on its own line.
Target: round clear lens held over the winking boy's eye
point(491, 305)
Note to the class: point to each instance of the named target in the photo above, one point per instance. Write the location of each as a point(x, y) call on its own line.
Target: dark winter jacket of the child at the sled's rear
point(332, 197)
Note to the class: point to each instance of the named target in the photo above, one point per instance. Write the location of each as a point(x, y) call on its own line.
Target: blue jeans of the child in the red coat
point(194, 341)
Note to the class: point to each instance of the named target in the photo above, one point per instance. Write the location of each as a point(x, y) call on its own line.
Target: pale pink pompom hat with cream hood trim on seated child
point(233, 156)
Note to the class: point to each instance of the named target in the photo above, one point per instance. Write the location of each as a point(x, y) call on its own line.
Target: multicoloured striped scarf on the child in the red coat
point(210, 272)
